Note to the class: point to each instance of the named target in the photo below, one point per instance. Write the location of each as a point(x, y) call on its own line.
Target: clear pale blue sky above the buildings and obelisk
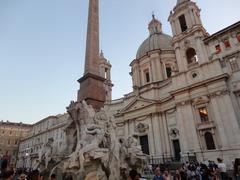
point(42, 47)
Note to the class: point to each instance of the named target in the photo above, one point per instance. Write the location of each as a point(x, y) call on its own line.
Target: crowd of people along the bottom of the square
point(187, 171)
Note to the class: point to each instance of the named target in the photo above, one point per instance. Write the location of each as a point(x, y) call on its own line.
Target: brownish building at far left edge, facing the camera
point(10, 136)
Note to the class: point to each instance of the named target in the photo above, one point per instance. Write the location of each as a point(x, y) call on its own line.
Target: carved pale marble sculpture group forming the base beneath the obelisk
point(93, 148)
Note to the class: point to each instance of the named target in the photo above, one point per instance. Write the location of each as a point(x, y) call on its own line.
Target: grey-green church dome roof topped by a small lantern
point(156, 40)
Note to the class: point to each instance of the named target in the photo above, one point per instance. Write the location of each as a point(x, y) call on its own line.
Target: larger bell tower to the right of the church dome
point(188, 34)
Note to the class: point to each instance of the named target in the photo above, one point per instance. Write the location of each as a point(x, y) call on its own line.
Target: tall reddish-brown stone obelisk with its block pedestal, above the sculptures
point(92, 84)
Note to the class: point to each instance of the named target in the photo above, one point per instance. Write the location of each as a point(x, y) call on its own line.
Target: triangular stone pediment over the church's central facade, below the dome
point(137, 103)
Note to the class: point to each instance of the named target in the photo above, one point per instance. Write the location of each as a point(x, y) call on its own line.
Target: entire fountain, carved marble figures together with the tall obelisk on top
point(93, 149)
